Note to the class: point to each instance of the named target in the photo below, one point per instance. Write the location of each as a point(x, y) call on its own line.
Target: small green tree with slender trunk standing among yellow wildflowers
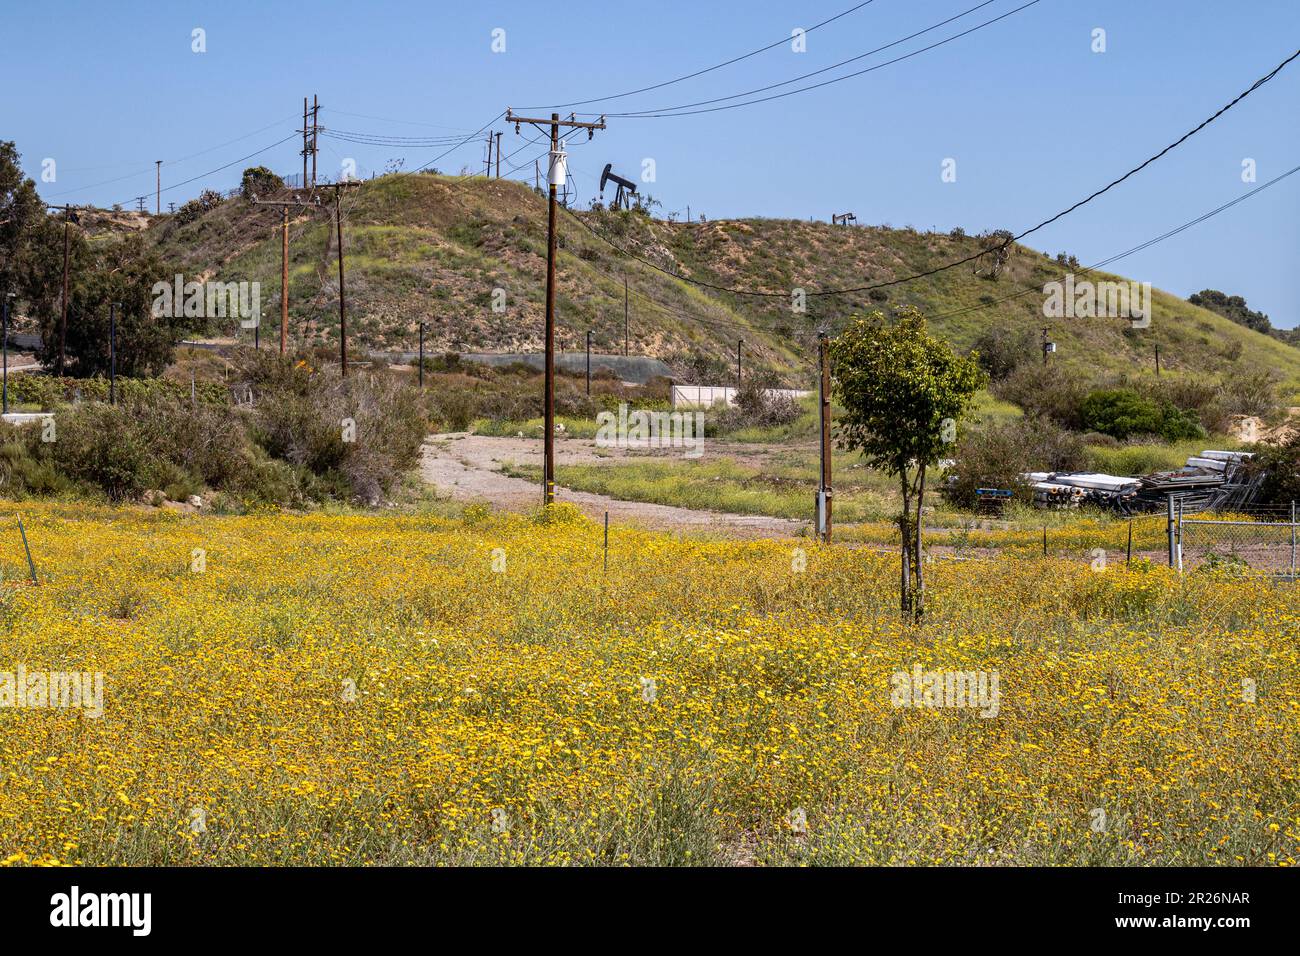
point(904, 395)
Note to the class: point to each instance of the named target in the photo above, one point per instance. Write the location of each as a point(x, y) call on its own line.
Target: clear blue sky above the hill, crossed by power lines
point(1034, 119)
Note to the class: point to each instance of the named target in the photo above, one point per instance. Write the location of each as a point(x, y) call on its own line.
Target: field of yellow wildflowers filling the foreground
point(408, 689)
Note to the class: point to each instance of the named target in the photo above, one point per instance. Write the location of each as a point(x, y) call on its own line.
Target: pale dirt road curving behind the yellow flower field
point(467, 468)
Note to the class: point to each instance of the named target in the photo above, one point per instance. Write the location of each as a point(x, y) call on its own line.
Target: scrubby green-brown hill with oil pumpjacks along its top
point(424, 248)
